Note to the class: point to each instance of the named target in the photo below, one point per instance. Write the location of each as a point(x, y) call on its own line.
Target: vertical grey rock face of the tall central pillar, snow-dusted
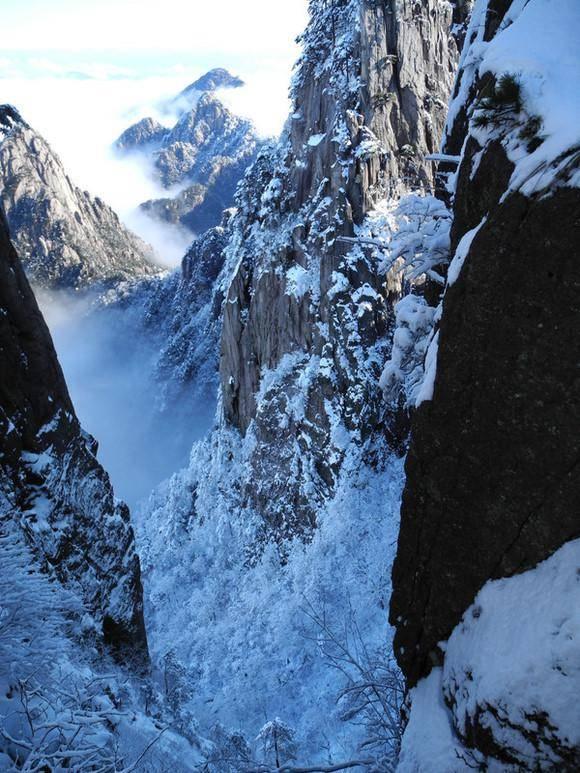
point(305, 317)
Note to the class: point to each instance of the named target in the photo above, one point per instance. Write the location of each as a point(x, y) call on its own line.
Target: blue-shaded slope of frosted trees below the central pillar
point(240, 629)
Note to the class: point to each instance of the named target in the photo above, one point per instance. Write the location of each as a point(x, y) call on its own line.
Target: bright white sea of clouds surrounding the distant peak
point(82, 103)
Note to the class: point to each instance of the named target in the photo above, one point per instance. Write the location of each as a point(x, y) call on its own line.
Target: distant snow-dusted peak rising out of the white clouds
point(204, 155)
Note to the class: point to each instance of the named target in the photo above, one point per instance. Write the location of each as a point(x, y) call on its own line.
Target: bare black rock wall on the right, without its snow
point(493, 483)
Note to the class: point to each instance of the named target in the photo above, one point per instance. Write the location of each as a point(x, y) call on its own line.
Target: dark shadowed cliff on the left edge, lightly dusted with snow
point(52, 486)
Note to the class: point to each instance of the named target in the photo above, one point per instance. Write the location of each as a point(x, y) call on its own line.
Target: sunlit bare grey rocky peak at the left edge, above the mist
point(66, 238)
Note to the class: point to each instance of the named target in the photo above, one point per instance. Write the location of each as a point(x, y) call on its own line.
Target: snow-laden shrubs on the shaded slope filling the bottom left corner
point(63, 703)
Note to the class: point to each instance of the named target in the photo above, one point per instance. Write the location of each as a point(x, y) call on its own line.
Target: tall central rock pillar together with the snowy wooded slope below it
point(304, 466)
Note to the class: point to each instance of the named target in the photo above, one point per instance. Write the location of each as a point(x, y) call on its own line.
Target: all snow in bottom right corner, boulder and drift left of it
point(510, 681)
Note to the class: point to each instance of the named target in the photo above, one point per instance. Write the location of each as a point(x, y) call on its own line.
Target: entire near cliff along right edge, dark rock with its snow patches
point(493, 486)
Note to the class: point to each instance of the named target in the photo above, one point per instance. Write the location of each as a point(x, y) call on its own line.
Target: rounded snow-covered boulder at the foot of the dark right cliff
point(516, 649)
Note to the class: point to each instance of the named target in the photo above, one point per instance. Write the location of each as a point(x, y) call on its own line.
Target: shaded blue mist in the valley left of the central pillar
point(109, 363)
